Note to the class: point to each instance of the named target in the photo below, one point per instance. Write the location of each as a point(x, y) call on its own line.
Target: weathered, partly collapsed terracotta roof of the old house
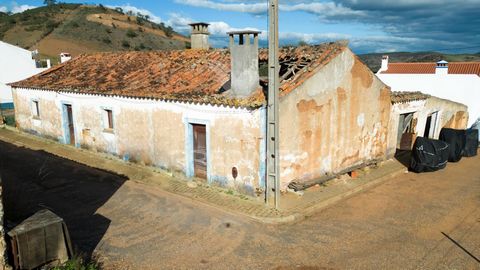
point(188, 75)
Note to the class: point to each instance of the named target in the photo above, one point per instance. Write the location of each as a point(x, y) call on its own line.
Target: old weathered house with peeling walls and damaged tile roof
point(203, 112)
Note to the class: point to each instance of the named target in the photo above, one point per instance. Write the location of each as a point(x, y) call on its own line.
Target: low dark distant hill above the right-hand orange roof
point(374, 60)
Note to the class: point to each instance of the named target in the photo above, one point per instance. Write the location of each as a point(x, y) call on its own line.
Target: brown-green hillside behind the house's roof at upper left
point(77, 29)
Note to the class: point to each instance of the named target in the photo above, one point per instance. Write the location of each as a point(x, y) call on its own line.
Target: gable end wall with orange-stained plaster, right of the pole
point(336, 119)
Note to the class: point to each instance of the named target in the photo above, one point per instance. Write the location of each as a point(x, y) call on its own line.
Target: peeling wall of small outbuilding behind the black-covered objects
point(450, 115)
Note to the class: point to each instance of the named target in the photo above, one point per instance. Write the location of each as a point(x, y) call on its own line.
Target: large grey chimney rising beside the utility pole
point(244, 62)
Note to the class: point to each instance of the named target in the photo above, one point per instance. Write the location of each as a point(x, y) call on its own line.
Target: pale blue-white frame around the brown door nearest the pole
point(189, 164)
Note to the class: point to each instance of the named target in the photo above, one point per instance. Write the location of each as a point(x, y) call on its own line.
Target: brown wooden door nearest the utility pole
point(200, 151)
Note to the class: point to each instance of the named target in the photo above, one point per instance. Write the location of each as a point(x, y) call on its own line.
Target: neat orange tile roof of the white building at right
point(429, 68)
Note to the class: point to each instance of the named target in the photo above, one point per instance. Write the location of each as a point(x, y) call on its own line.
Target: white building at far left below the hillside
point(15, 64)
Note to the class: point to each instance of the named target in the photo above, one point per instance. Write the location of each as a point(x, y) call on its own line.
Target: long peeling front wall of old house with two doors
point(154, 132)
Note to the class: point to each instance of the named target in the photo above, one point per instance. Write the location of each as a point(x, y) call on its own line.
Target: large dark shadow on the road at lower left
point(34, 180)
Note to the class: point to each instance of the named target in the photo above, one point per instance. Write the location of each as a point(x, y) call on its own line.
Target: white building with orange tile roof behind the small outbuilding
point(459, 81)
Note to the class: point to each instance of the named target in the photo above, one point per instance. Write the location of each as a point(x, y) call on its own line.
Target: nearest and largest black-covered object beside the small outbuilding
point(428, 155)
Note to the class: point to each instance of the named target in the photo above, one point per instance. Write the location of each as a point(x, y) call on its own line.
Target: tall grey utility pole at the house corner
point(273, 165)
